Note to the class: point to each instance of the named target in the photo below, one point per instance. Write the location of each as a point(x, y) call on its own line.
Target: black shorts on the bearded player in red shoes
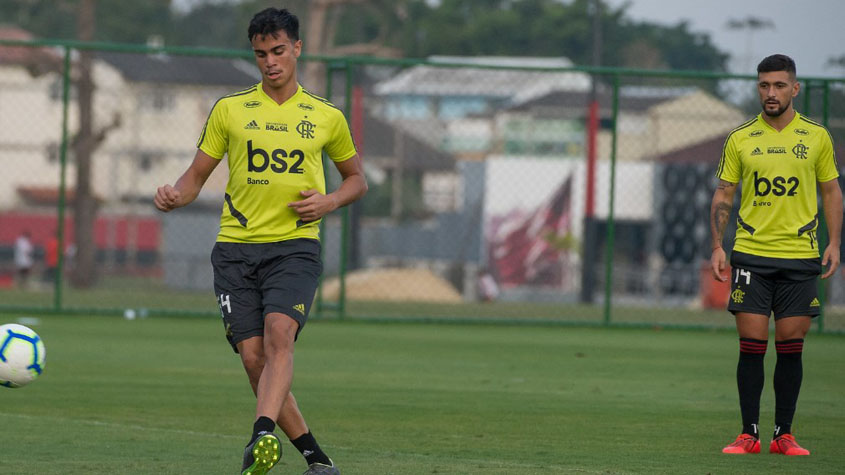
point(766, 285)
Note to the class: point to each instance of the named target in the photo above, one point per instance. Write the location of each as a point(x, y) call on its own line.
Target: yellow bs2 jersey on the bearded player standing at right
point(778, 213)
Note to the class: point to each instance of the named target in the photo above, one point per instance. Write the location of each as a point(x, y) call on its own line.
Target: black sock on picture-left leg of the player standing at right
point(749, 382)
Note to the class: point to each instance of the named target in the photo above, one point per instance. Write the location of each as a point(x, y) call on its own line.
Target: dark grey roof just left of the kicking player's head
point(200, 70)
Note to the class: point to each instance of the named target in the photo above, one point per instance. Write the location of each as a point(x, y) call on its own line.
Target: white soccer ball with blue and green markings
point(22, 355)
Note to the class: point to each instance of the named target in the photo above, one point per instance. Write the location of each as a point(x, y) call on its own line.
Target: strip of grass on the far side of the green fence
point(115, 293)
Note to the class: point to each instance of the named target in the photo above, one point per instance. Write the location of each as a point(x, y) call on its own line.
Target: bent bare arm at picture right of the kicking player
point(315, 205)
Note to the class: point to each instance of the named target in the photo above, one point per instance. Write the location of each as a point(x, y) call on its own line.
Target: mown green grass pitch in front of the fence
point(167, 396)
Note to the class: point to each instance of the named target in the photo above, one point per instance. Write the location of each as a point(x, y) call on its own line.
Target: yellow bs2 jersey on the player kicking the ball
point(275, 152)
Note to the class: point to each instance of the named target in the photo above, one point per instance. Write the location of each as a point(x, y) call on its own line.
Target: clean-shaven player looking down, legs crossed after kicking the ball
point(267, 256)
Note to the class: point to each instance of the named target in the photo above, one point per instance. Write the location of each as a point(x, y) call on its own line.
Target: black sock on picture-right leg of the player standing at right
point(789, 371)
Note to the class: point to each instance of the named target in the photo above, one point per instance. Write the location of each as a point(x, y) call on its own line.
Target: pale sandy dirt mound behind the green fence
point(419, 285)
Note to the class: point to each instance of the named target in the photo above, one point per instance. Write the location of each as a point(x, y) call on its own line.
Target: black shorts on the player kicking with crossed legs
point(253, 280)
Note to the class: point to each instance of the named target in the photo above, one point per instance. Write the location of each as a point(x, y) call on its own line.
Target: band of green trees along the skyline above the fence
point(409, 28)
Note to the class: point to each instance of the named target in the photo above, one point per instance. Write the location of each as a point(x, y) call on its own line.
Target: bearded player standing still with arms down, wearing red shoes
point(780, 156)
